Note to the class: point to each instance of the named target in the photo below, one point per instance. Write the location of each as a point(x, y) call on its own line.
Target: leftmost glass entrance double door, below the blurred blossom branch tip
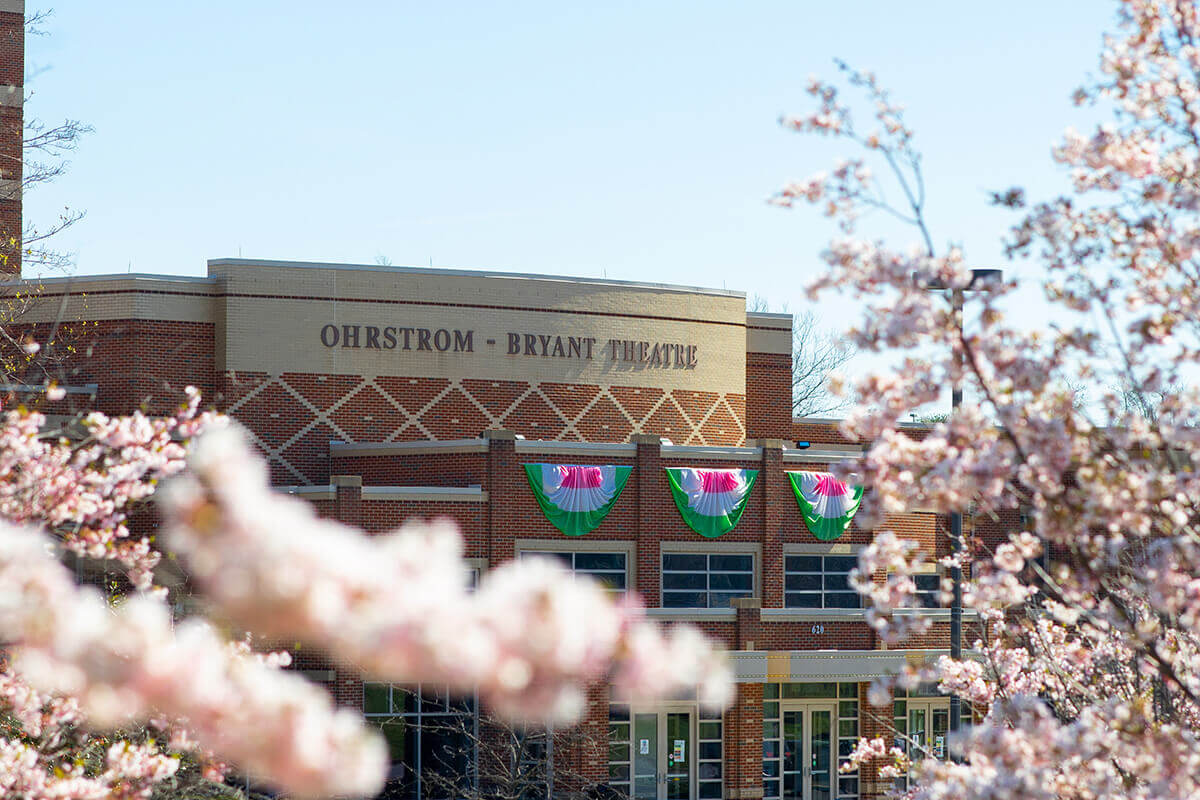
point(664, 755)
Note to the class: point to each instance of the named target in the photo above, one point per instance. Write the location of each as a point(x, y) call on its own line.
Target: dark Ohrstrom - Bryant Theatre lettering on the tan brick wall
point(667, 356)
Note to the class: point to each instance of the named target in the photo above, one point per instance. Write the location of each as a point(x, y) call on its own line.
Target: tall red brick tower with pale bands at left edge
point(13, 127)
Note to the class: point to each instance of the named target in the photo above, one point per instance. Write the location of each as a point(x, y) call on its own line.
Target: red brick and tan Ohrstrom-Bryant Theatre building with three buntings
point(640, 434)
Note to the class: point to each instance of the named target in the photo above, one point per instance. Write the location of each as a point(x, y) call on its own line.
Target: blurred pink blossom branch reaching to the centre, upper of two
point(530, 640)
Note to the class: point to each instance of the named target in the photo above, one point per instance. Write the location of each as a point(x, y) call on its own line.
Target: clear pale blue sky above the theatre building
point(633, 141)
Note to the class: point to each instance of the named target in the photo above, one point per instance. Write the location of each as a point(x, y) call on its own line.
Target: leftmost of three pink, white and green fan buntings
point(577, 498)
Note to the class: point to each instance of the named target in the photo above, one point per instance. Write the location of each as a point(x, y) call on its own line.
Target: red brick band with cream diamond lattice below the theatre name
point(293, 417)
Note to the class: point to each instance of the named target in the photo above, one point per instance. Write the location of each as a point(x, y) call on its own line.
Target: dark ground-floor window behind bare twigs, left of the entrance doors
point(431, 741)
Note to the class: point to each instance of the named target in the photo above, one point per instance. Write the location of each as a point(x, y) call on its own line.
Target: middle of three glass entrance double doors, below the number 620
point(808, 751)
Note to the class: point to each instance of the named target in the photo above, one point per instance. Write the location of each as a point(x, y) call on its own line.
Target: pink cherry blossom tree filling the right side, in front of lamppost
point(1088, 679)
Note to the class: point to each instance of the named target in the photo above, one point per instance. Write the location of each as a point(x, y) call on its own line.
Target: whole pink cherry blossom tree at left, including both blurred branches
point(82, 664)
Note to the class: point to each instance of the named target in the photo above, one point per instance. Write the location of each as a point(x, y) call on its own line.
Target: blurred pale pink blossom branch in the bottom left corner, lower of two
point(129, 664)
